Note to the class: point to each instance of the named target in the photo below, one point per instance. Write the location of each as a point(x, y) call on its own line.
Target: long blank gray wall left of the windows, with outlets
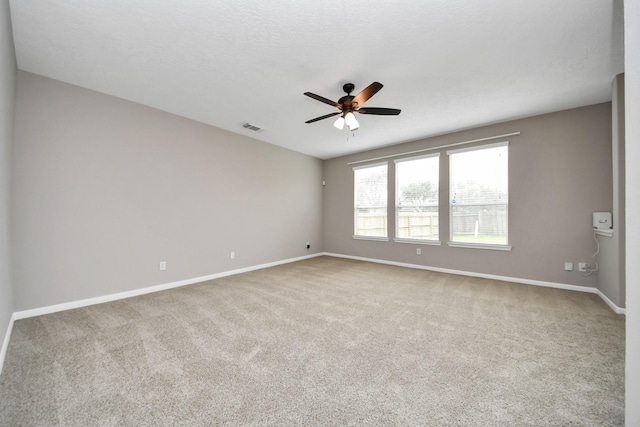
point(105, 189)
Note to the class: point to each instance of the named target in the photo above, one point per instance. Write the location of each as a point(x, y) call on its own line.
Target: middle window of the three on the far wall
point(417, 181)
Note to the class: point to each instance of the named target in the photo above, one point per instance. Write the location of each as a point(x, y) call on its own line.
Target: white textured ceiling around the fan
point(448, 65)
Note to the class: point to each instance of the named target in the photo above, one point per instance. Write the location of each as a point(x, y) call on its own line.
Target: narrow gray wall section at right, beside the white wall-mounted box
point(611, 277)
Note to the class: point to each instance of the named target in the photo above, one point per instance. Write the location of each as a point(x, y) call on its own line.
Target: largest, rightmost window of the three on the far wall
point(479, 195)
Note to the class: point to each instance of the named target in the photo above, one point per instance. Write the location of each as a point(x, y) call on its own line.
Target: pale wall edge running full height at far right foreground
point(632, 203)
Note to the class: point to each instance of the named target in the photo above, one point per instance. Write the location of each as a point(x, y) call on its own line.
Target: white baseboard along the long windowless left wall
point(141, 291)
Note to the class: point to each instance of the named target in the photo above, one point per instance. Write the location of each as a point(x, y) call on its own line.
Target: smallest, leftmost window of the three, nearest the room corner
point(370, 201)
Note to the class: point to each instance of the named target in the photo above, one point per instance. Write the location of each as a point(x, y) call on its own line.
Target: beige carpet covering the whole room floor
point(325, 341)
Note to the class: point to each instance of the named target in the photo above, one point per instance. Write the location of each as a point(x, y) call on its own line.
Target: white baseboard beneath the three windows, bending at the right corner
point(555, 285)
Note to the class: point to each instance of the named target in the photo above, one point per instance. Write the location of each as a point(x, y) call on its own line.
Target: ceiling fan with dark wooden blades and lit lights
point(350, 104)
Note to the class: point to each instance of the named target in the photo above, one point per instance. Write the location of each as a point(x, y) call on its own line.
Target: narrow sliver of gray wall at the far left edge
point(7, 99)
